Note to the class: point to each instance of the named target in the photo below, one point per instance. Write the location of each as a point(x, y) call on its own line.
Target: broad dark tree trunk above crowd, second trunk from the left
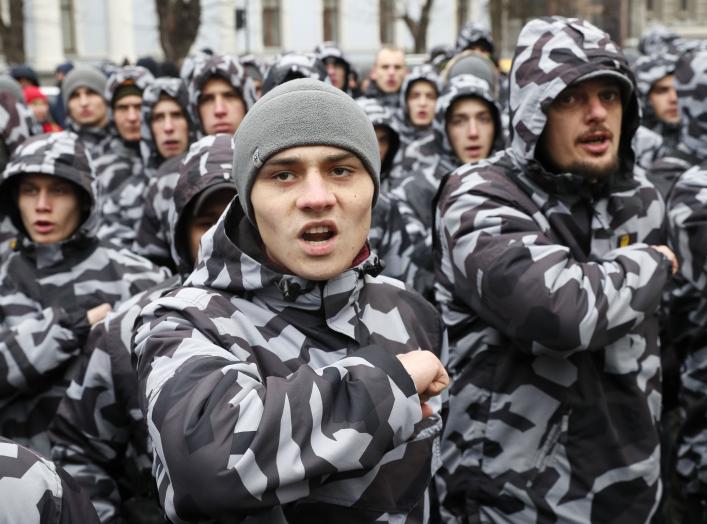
point(179, 22)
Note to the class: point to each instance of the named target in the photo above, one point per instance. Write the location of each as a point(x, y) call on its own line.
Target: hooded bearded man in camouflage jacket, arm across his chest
point(551, 262)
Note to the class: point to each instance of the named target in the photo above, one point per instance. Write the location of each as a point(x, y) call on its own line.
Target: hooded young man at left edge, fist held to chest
point(59, 281)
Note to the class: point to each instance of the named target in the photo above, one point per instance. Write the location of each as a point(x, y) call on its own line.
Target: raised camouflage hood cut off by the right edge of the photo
point(691, 84)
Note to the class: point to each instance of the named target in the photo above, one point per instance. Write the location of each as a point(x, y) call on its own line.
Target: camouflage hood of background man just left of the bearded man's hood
point(464, 86)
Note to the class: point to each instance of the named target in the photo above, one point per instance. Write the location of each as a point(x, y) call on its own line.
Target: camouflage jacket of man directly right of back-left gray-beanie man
point(120, 172)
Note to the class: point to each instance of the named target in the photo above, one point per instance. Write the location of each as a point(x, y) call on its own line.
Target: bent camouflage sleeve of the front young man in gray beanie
point(236, 441)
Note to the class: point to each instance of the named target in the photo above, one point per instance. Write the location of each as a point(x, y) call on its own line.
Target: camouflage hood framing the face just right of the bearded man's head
point(648, 70)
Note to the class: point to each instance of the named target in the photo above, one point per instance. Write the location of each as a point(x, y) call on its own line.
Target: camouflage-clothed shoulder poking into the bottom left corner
point(35, 491)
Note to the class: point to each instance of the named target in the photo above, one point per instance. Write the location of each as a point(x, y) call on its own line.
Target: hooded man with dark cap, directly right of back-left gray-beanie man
point(119, 170)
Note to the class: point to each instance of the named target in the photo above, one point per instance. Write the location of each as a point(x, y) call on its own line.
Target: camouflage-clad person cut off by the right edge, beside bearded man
point(683, 173)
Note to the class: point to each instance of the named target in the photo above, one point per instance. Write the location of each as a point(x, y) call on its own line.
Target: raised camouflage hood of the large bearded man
point(553, 53)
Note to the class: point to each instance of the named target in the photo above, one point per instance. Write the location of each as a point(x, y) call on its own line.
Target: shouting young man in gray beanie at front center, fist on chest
point(286, 381)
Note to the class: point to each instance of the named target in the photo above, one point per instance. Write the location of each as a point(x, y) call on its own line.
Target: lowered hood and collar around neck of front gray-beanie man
point(232, 260)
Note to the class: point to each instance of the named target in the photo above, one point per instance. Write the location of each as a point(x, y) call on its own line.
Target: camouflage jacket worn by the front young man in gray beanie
point(274, 399)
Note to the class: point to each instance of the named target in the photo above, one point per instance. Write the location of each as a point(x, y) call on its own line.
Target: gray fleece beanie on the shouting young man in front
point(301, 112)
